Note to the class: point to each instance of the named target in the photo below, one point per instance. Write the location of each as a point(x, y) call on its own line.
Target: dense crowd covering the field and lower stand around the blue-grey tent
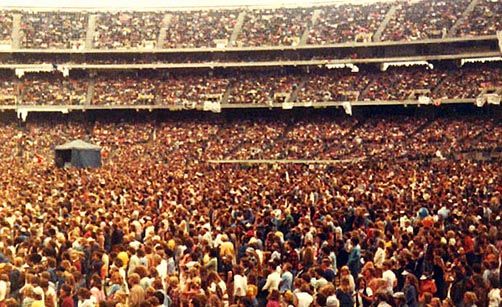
point(158, 225)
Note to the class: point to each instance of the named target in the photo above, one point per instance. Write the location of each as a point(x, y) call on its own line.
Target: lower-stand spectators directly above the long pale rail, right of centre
point(376, 138)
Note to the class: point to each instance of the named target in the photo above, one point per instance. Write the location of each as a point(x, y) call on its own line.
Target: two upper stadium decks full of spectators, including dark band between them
point(216, 53)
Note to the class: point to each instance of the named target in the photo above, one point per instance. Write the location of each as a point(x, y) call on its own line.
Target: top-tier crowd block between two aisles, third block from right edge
point(347, 23)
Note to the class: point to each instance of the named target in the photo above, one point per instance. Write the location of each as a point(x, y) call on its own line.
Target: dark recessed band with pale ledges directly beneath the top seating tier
point(357, 53)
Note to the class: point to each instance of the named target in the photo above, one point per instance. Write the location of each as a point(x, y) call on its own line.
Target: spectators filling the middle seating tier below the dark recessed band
point(264, 87)
